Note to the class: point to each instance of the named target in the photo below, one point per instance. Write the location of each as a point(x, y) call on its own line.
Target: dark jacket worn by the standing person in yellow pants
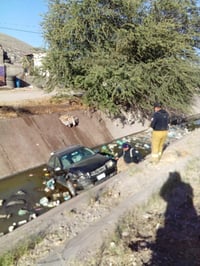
point(160, 120)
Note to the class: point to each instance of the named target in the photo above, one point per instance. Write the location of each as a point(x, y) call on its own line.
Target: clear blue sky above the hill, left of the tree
point(21, 19)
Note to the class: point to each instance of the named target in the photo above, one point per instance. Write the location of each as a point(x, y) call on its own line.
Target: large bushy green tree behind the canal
point(125, 54)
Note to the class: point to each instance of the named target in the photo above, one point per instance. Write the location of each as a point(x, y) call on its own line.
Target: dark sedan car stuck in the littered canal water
point(81, 166)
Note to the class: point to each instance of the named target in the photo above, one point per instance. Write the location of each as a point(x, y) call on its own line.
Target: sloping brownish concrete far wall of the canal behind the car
point(27, 142)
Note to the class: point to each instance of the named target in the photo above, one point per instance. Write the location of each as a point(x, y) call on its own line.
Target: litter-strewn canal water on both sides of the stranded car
point(26, 195)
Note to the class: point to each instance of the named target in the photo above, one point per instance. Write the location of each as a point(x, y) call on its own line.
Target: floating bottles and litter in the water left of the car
point(18, 209)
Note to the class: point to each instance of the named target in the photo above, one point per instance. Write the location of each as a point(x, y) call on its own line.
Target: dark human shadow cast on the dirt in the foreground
point(178, 241)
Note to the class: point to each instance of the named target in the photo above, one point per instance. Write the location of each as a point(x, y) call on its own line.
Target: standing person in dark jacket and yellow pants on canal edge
point(159, 124)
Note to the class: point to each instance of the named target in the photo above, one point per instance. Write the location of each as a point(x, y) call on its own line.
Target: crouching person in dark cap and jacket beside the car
point(130, 154)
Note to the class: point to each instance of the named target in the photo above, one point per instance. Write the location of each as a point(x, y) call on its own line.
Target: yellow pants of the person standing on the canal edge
point(157, 144)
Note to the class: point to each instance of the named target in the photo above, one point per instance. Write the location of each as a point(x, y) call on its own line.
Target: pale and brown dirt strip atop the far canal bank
point(30, 101)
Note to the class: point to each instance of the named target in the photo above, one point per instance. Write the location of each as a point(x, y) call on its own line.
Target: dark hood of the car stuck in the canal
point(90, 164)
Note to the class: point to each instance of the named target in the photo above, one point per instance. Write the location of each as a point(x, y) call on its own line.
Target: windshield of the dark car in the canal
point(76, 156)
